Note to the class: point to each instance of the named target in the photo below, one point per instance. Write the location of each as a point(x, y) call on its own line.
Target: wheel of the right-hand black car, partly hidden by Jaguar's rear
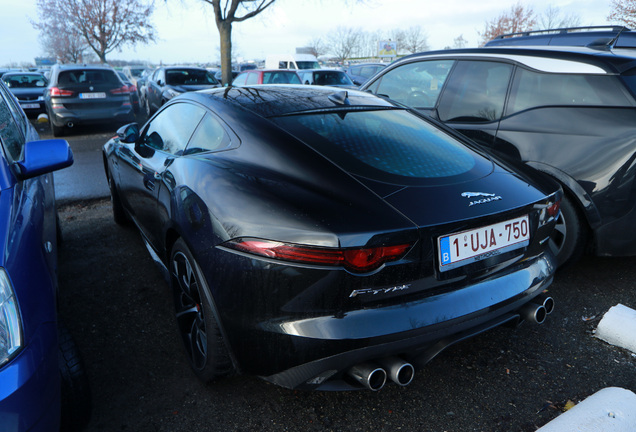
point(569, 238)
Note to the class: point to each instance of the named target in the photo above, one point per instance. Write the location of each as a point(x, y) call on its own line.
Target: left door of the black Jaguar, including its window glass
point(144, 164)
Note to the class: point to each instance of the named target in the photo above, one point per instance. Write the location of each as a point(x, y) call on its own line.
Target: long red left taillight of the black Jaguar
point(359, 260)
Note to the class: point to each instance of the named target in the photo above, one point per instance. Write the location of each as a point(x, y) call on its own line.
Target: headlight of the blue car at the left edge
point(10, 325)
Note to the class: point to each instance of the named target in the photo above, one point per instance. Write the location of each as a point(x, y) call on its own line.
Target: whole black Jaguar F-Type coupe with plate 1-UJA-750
point(329, 239)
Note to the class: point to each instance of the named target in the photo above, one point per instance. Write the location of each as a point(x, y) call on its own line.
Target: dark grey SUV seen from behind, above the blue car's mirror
point(81, 94)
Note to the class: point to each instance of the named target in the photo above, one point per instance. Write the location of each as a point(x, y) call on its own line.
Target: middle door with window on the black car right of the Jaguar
point(473, 99)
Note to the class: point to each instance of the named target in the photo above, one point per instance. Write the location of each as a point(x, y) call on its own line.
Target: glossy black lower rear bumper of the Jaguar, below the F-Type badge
point(416, 331)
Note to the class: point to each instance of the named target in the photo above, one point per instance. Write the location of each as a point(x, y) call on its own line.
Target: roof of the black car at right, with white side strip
point(555, 59)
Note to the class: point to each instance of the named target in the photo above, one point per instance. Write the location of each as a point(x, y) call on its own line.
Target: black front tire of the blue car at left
point(76, 395)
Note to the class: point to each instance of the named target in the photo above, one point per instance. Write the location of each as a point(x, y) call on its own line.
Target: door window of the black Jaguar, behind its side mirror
point(172, 128)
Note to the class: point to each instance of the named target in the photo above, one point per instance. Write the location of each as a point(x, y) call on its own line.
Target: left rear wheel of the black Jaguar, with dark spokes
point(196, 321)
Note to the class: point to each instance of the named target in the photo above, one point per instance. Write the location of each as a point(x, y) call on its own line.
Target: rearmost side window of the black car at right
point(532, 89)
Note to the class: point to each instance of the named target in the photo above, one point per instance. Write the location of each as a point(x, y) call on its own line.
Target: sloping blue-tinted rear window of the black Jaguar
point(393, 146)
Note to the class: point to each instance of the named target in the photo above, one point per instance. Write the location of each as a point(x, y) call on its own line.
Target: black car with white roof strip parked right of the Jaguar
point(569, 112)
